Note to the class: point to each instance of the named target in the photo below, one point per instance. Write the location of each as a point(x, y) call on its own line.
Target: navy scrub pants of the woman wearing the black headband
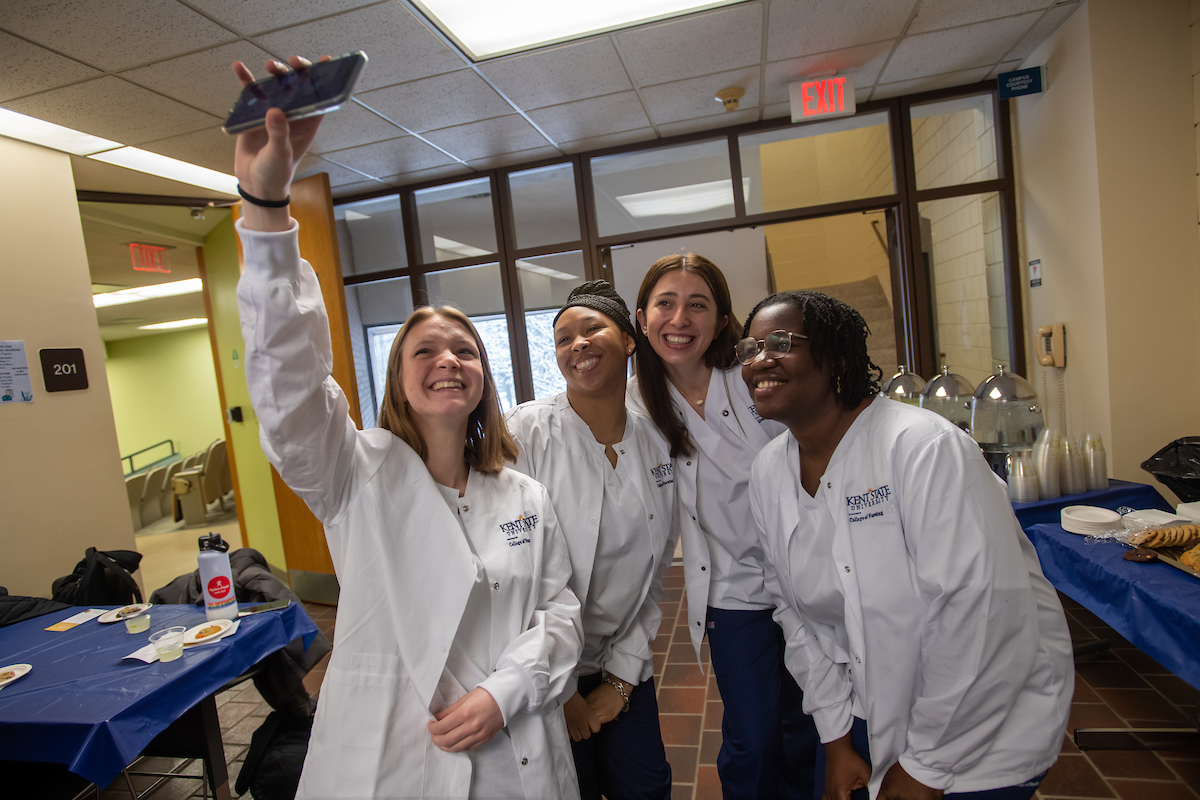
point(627, 760)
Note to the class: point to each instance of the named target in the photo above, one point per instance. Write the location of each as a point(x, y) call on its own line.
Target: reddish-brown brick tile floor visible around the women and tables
point(1120, 688)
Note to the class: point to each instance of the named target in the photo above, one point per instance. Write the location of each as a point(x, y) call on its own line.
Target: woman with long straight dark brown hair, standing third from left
point(687, 382)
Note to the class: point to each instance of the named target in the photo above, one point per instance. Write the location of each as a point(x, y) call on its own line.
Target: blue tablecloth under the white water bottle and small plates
point(86, 707)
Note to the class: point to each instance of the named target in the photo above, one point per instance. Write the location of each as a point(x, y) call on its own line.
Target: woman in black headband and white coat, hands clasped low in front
point(609, 474)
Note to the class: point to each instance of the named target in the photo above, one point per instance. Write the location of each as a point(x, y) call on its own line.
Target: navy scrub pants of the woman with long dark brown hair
point(769, 744)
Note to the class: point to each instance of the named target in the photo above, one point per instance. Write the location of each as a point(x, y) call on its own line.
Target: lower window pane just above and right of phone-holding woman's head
point(478, 293)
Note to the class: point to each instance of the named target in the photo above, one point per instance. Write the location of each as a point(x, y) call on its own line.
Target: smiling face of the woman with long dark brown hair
point(681, 320)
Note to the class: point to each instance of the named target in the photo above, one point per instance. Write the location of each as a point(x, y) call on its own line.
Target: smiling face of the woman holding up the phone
point(442, 375)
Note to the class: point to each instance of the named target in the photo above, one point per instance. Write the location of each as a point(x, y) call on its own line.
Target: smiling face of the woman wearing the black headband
point(592, 351)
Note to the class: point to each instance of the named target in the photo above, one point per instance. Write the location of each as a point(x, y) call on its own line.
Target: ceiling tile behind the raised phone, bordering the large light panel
point(399, 47)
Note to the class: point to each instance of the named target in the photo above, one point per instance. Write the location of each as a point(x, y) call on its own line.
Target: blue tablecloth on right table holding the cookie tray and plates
point(1155, 606)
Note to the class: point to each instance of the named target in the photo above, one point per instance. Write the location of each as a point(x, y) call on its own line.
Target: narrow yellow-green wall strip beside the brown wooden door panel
point(256, 492)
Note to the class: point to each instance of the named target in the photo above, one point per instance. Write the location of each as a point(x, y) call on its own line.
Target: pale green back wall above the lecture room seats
point(164, 388)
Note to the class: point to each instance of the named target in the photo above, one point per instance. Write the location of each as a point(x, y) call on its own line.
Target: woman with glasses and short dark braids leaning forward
point(933, 653)
